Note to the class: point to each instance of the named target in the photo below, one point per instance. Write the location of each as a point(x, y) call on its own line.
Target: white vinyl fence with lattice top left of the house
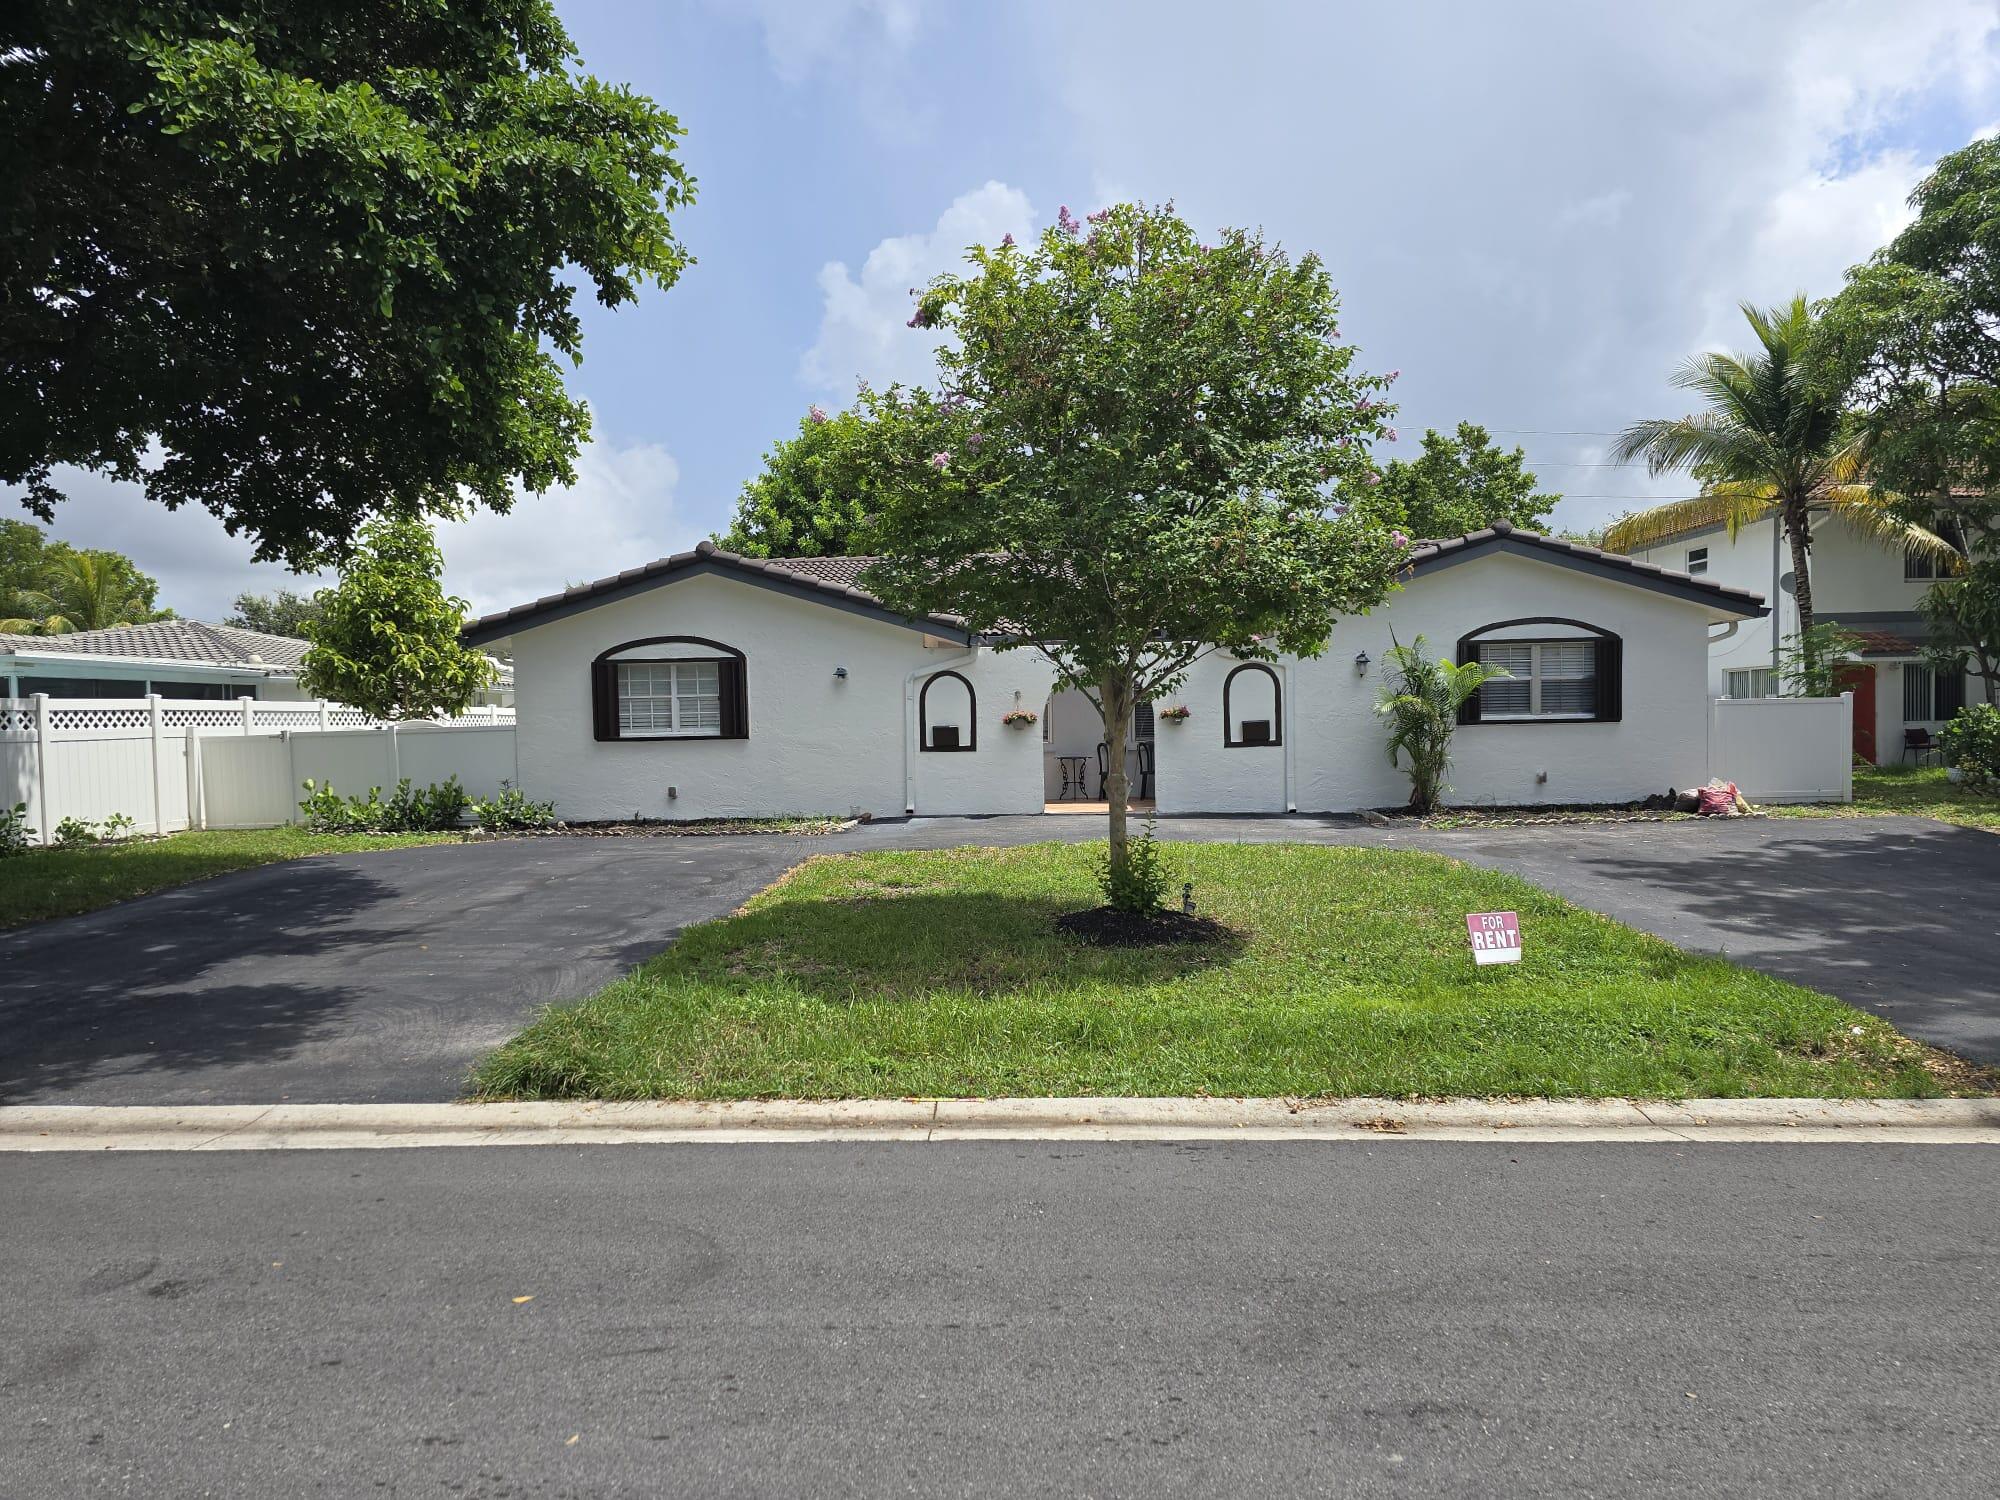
point(143, 757)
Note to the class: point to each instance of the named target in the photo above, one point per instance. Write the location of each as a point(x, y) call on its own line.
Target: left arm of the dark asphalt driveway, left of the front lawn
point(373, 977)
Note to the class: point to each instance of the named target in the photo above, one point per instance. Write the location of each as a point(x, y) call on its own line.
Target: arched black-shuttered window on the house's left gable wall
point(671, 689)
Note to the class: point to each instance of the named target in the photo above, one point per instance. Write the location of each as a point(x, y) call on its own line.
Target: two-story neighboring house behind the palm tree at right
point(1861, 583)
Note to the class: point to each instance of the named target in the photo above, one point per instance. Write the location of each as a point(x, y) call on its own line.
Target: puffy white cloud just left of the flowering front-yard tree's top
point(865, 319)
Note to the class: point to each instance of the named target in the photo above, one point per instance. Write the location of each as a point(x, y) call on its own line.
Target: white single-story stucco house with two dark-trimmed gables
point(713, 685)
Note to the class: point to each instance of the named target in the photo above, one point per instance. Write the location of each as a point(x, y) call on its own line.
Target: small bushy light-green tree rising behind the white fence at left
point(387, 639)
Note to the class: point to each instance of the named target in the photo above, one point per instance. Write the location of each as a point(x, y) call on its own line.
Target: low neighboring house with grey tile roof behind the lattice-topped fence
point(175, 659)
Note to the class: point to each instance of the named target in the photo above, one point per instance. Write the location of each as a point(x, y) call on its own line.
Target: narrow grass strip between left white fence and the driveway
point(67, 881)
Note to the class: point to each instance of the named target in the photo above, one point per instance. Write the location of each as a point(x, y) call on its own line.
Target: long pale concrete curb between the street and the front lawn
point(349, 1127)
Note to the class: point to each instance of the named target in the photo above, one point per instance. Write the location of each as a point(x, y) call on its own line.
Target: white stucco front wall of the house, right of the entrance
point(1333, 751)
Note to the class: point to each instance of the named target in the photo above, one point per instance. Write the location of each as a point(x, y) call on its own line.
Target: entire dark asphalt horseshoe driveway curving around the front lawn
point(387, 975)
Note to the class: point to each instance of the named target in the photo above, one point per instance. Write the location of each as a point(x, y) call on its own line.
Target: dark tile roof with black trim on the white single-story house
point(835, 579)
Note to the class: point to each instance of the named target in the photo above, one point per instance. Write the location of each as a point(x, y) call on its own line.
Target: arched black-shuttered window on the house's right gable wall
point(1557, 673)
